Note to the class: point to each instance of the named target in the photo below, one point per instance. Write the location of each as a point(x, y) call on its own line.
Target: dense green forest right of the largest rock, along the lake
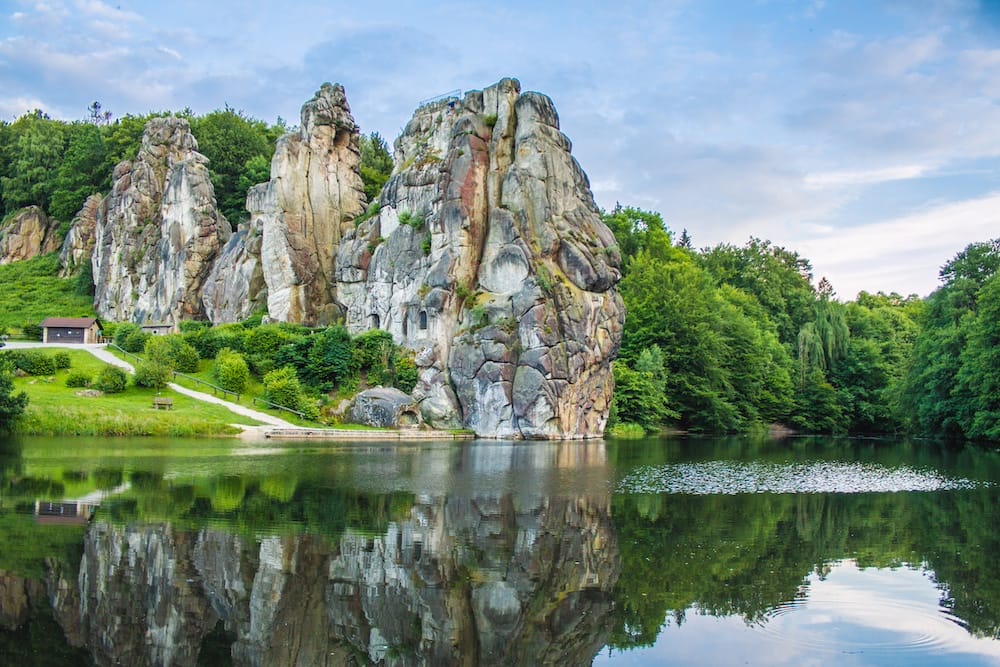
point(728, 338)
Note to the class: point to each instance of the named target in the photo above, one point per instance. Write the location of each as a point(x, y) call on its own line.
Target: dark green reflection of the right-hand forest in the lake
point(748, 554)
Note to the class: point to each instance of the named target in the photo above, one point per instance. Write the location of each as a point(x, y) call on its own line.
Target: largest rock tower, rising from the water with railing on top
point(489, 258)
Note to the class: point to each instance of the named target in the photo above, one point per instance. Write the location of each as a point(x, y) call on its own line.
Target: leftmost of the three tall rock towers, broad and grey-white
point(159, 231)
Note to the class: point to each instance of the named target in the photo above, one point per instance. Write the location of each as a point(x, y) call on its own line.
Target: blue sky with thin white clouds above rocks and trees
point(863, 135)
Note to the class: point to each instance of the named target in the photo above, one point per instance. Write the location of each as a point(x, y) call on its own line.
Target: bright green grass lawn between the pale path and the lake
point(55, 409)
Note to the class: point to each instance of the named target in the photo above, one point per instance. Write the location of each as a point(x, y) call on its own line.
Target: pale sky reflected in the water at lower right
point(850, 617)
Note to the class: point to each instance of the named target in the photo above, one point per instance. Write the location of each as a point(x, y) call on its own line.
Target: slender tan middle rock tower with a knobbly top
point(305, 209)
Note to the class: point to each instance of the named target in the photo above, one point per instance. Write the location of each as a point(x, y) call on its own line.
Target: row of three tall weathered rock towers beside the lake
point(485, 254)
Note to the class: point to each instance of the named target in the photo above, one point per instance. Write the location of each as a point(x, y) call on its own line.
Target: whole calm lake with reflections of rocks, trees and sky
point(801, 551)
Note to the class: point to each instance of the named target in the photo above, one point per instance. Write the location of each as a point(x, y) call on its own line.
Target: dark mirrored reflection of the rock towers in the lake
point(497, 578)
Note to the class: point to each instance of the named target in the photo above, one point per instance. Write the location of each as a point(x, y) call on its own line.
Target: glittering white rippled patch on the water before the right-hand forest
point(732, 477)
